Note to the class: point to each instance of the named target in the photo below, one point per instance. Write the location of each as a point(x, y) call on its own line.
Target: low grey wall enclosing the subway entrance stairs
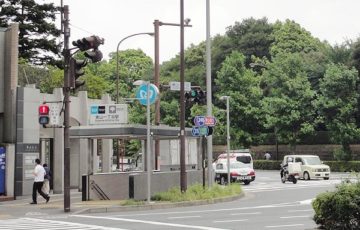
point(116, 185)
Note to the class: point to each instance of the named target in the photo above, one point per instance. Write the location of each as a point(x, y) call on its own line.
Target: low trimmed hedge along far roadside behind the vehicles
point(335, 166)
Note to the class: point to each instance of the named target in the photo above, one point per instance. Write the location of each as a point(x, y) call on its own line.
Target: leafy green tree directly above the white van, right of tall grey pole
point(242, 85)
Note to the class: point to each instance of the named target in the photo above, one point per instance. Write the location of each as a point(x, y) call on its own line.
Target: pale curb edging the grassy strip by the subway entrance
point(159, 205)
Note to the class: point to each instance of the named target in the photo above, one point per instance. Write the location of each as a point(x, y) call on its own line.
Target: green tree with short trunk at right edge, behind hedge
point(337, 104)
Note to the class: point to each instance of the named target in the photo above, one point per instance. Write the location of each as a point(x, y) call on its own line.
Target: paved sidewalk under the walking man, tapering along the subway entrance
point(21, 207)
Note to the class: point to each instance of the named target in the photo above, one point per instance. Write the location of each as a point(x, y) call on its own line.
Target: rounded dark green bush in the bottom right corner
point(339, 209)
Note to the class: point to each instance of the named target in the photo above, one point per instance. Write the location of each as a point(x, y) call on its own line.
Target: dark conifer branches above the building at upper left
point(37, 31)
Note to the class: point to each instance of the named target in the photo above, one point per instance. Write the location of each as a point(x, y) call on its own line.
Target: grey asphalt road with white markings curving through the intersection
point(268, 204)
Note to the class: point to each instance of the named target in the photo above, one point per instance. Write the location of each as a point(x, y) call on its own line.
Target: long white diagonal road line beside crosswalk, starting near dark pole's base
point(150, 222)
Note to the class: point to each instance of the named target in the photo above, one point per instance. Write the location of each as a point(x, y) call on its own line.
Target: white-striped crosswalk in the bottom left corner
point(43, 224)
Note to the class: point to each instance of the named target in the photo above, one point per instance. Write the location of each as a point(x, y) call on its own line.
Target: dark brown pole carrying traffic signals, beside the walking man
point(66, 91)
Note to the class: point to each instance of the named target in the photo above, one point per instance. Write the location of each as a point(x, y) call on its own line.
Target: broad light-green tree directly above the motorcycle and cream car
point(288, 107)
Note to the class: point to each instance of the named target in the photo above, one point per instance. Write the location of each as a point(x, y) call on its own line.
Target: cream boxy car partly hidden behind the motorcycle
point(311, 166)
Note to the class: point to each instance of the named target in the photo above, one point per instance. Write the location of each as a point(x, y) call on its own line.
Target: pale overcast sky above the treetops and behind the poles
point(331, 20)
